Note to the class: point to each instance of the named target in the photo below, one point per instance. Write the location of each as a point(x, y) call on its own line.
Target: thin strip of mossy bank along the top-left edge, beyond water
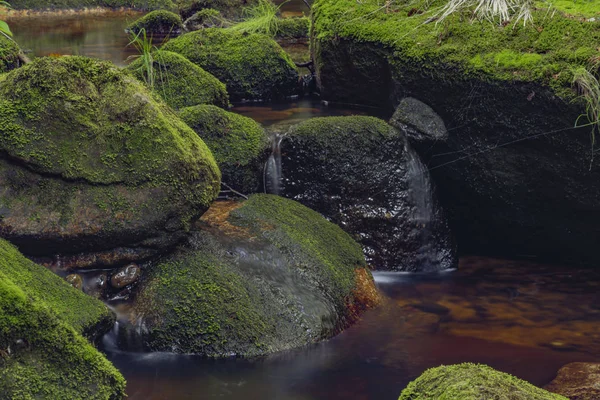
point(144, 5)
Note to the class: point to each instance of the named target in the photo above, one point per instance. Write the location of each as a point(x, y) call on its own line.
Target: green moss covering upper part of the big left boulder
point(84, 119)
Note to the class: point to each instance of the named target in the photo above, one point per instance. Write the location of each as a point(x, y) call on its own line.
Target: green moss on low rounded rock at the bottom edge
point(472, 382)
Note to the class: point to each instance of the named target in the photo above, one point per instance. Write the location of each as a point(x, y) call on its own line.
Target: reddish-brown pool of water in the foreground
point(521, 318)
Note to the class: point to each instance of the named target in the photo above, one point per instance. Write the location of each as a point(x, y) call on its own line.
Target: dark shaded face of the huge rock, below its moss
point(513, 174)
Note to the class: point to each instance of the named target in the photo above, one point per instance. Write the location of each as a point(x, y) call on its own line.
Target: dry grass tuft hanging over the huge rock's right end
point(589, 90)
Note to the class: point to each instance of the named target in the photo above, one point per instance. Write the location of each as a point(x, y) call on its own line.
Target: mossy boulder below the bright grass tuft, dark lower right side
point(253, 66)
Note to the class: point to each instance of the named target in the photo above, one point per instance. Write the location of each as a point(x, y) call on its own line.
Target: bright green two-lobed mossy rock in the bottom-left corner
point(43, 325)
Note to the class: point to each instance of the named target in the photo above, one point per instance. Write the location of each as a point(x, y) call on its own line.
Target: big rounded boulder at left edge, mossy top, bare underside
point(92, 162)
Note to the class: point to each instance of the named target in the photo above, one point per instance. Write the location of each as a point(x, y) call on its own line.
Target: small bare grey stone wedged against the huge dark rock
point(419, 121)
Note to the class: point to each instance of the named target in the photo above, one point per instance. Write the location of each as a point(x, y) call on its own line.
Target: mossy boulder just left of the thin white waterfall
point(238, 144)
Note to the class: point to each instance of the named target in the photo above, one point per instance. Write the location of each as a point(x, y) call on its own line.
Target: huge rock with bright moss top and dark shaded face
point(513, 174)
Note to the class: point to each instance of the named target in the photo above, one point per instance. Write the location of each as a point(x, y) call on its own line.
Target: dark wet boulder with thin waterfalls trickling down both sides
point(362, 174)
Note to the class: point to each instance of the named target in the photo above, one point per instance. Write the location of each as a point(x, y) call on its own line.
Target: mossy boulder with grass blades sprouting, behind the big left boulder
point(181, 83)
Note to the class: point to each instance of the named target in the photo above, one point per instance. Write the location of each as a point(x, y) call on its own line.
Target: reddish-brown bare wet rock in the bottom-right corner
point(577, 381)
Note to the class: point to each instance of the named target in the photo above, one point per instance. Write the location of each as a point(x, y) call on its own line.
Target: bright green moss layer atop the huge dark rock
point(457, 49)
